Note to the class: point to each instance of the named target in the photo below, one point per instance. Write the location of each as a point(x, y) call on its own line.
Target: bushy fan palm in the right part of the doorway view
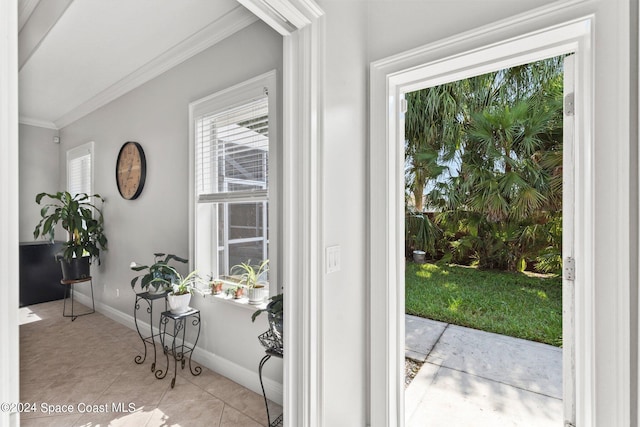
point(510, 176)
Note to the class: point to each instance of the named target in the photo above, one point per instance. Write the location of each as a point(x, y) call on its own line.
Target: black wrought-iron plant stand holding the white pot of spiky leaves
point(178, 348)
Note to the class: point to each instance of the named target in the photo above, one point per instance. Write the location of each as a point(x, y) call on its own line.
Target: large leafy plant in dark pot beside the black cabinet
point(82, 219)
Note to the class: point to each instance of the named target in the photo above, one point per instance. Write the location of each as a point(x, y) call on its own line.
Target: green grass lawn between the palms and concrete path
point(506, 303)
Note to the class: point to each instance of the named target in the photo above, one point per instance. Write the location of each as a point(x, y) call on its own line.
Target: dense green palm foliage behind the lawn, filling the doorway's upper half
point(503, 203)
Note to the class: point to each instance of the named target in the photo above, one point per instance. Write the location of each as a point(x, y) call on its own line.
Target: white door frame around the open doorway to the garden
point(546, 33)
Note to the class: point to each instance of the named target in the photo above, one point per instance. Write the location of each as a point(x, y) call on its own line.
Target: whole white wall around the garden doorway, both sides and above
point(359, 32)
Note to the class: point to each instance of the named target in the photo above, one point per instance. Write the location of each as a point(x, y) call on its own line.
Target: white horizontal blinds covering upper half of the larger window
point(232, 153)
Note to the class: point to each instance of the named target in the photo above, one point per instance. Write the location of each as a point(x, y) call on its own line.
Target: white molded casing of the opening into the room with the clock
point(301, 25)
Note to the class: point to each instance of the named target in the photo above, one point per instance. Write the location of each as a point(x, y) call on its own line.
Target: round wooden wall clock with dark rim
point(131, 170)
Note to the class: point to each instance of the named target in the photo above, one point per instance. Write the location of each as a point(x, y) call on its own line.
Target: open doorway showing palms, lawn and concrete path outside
point(484, 206)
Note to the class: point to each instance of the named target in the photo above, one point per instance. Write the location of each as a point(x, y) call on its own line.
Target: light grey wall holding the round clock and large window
point(156, 116)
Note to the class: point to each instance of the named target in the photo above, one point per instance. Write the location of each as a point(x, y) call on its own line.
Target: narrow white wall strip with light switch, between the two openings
point(344, 213)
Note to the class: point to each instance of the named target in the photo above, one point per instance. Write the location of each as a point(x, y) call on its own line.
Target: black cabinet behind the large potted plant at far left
point(40, 273)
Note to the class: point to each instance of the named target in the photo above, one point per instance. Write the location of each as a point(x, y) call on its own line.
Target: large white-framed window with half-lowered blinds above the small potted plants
point(233, 148)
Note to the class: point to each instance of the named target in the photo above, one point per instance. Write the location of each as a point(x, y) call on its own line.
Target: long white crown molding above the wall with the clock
point(232, 22)
